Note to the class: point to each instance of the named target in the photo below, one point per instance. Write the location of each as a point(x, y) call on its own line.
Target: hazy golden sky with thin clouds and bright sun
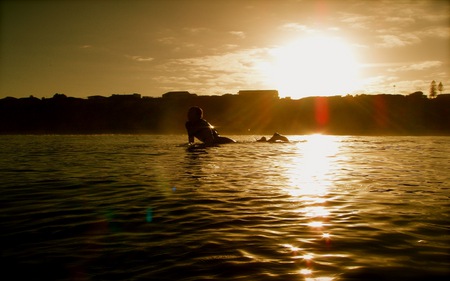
point(212, 47)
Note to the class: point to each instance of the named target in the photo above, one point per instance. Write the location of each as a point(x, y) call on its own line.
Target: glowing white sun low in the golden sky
point(312, 66)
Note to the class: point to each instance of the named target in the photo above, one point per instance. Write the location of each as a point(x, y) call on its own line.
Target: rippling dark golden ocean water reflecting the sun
point(143, 207)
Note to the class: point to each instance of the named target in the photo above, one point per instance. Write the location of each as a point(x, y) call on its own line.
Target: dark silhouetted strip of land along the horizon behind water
point(248, 112)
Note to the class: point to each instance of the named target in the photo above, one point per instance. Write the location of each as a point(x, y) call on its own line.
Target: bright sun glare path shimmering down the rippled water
point(309, 177)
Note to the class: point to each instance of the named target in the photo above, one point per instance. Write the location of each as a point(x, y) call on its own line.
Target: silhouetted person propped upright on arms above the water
point(199, 128)
